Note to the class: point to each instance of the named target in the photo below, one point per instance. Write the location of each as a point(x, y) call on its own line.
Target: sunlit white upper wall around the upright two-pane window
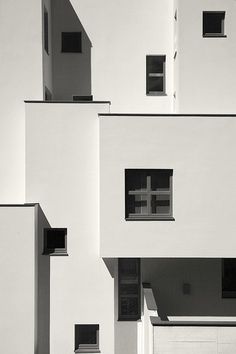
point(122, 34)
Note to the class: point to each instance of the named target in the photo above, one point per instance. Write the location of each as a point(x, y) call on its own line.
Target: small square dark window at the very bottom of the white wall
point(87, 338)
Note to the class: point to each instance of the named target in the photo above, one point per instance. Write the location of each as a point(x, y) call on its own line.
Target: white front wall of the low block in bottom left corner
point(17, 273)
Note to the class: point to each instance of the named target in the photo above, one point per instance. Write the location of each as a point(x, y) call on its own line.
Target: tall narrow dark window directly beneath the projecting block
point(129, 289)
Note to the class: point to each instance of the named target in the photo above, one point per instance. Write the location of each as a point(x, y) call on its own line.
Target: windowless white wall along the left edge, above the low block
point(20, 79)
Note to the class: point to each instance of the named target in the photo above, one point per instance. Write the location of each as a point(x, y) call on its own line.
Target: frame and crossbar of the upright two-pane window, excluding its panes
point(155, 74)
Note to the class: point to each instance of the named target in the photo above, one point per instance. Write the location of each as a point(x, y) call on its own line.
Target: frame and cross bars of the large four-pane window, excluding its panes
point(149, 216)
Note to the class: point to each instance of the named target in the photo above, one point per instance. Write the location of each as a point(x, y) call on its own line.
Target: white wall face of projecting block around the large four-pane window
point(201, 152)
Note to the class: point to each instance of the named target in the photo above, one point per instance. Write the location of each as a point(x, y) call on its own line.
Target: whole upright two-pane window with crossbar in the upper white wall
point(155, 74)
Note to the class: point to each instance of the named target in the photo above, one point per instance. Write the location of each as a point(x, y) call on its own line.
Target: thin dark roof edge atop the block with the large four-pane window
point(163, 115)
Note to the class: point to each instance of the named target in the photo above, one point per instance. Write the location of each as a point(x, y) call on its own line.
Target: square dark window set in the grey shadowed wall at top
point(71, 42)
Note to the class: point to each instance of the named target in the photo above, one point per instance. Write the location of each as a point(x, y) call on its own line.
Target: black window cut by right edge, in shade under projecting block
point(229, 278)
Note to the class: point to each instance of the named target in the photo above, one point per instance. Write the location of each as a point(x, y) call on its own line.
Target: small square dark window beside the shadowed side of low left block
point(55, 242)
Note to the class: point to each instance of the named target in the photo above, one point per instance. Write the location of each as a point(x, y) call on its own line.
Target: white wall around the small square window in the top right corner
point(207, 82)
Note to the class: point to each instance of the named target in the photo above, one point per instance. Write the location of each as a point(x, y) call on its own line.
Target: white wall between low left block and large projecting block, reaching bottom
point(62, 174)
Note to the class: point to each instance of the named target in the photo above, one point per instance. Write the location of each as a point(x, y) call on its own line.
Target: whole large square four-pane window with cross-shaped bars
point(148, 194)
